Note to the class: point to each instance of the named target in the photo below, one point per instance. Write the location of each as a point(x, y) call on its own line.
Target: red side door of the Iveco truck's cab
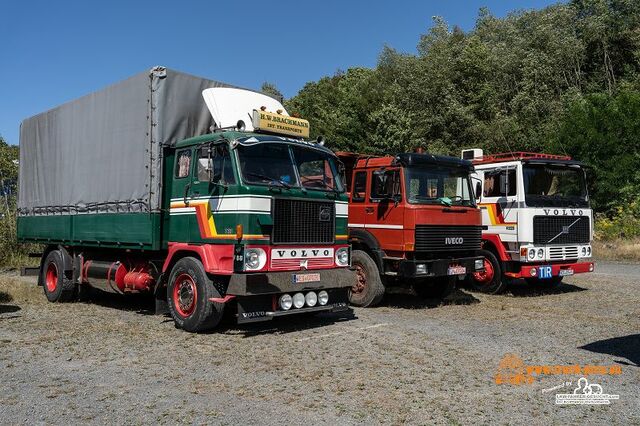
point(384, 211)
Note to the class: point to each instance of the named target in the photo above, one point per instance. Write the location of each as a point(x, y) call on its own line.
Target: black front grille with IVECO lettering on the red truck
point(448, 238)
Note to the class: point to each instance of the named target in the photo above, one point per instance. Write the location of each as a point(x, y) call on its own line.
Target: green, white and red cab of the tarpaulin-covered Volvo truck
point(267, 214)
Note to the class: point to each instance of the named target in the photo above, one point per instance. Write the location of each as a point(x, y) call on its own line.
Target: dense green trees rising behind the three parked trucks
point(562, 79)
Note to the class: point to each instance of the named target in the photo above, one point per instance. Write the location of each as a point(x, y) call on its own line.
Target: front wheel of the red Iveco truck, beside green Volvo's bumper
point(368, 289)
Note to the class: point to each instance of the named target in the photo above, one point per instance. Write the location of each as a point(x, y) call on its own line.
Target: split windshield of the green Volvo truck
point(287, 165)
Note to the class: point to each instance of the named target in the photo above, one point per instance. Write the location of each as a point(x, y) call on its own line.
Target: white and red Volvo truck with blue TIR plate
point(538, 222)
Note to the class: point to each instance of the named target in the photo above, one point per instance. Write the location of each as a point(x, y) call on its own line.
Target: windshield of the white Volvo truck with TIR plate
point(554, 186)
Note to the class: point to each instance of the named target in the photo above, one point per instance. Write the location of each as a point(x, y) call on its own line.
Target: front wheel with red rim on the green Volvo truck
point(188, 294)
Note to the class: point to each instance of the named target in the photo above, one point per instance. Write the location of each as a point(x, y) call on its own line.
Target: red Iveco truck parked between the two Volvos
point(412, 219)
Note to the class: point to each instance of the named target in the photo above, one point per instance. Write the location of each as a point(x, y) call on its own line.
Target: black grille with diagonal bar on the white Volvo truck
point(561, 230)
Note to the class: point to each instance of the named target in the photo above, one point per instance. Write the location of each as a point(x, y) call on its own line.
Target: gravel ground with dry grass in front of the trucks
point(408, 361)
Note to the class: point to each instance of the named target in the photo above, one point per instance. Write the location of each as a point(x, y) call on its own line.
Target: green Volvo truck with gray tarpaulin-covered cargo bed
point(205, 195)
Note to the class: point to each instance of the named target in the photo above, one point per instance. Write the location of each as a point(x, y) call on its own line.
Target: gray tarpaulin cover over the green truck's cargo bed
point(102, 153)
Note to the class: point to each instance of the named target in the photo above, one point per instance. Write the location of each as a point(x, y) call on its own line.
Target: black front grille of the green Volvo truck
point(303, 222)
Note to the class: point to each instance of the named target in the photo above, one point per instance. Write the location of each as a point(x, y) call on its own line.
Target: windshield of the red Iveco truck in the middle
point(438, 185)
